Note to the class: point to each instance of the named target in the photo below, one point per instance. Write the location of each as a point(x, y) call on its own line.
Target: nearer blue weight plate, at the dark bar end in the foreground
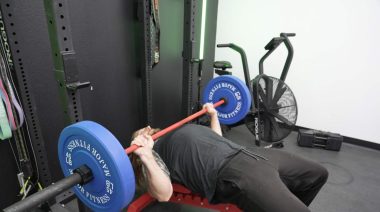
point(89, 143)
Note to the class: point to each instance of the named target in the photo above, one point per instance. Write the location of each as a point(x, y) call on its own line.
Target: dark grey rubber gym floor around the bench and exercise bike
point(353, 184)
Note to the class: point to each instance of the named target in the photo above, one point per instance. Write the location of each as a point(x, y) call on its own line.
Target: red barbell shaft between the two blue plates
point(176, 125)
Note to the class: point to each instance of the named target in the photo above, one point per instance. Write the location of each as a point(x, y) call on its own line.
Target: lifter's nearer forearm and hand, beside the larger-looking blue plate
point(159, 184)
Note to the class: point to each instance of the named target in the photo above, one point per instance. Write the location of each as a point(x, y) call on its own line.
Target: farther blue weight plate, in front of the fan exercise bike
point(236, 95)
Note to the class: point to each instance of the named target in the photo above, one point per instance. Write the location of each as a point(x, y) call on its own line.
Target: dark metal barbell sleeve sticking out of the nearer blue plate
point(81, 175)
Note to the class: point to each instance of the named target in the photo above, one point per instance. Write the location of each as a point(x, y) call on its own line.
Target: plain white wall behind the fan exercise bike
point(335, 74)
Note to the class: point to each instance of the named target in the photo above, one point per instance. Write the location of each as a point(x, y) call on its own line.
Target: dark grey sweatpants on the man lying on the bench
point(281, 182)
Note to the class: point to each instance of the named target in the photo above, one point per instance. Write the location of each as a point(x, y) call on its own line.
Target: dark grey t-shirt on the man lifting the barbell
point(194, 154)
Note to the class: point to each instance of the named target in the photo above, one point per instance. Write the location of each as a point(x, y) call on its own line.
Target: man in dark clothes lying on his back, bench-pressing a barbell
point(224, 172)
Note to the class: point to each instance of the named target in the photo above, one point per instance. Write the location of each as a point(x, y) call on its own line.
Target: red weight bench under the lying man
point(181, 195)
